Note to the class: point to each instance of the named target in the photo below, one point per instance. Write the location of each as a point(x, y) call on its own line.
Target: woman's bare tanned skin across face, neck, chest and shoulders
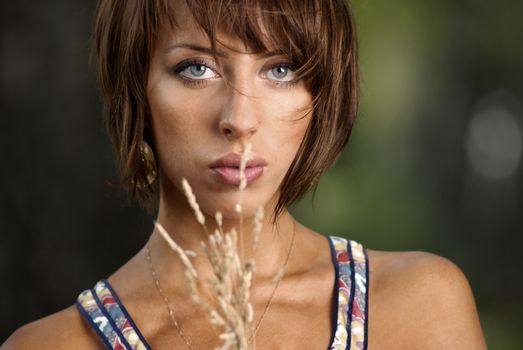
point(203, 109)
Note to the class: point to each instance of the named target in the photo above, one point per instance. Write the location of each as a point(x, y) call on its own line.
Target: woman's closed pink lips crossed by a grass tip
point(227, 168)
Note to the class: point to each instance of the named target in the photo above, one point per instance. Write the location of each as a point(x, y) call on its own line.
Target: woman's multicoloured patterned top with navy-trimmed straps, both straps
point(105, 313)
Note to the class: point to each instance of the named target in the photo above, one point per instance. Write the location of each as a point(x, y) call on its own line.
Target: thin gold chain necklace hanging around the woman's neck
point(168, 304)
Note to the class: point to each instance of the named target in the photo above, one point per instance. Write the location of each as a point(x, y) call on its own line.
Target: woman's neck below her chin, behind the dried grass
point(270, 253)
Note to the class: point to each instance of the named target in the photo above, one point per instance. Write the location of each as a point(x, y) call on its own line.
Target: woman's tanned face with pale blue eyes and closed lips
point(201, 122)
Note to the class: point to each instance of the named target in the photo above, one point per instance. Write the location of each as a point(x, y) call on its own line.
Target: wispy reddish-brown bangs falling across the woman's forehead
point(289, 28)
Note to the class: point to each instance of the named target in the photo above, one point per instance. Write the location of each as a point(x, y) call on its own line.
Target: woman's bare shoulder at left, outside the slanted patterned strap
point(62, 330)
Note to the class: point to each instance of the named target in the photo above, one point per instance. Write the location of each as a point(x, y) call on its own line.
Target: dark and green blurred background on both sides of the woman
point(434, 163)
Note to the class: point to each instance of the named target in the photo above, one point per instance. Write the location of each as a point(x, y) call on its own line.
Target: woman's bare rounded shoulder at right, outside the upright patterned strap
point(423, 301)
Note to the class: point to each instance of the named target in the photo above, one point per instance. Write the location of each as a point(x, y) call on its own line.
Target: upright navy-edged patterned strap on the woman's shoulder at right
point(351, 330)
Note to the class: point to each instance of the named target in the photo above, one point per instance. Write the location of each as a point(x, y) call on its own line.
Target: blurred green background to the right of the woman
point(405, 181)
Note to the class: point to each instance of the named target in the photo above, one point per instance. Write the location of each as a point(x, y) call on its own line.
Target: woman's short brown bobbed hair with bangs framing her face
point(318, 35)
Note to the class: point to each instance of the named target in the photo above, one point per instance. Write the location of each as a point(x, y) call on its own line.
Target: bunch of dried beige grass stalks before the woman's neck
point(231, 279)
